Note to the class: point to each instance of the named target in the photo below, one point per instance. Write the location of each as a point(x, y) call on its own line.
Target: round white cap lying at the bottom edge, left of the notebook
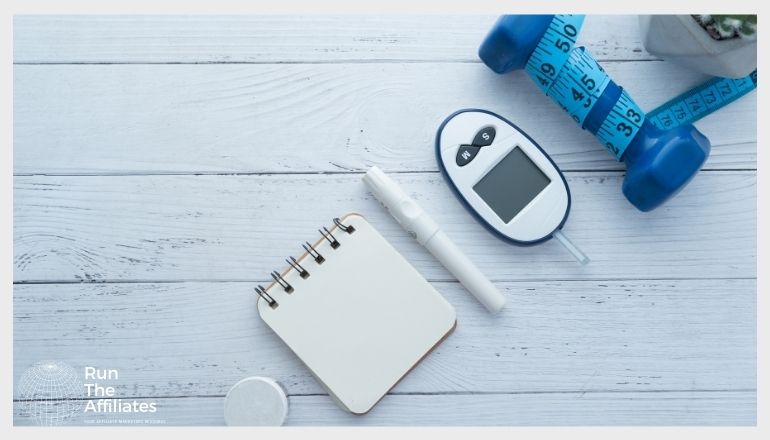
point(256, 401)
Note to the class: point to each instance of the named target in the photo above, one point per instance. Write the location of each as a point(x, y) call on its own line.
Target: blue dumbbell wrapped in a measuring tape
point(659, 162)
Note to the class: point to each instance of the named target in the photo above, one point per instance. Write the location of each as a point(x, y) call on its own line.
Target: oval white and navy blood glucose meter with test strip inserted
point(504, 178)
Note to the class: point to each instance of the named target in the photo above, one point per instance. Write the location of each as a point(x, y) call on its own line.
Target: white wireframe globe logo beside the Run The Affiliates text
point(50, 392)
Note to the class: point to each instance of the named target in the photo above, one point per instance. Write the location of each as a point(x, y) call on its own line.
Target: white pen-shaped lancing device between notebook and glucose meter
point(423, 229)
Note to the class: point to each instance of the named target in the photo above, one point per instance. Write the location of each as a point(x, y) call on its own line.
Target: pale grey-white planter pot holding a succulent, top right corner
point(681, 40)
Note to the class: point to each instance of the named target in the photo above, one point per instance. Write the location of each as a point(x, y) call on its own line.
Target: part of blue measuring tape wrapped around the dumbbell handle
point(573, 78)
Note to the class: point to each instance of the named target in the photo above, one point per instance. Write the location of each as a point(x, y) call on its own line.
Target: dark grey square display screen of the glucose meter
point(511, 184)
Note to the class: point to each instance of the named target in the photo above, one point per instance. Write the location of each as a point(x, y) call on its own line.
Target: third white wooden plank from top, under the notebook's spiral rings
point(240, 227)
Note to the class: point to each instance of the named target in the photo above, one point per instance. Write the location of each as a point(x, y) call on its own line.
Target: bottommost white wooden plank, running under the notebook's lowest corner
point(598, 409)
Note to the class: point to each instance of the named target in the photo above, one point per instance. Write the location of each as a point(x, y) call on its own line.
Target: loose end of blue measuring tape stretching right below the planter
point(702, 101)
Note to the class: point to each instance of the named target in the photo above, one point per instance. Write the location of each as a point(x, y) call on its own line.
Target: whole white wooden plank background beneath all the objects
point(164, 165)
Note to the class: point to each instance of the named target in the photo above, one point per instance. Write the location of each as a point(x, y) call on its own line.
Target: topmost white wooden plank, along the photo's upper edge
point(279, 38)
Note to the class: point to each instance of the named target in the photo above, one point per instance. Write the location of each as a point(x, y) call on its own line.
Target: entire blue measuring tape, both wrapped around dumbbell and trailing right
point(573, 78)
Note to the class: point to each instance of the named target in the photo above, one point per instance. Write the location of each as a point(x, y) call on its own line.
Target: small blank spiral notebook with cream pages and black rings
point(355, 312)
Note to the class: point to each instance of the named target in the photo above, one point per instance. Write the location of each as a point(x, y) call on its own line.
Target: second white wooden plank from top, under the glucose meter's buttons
point(97, 119)
